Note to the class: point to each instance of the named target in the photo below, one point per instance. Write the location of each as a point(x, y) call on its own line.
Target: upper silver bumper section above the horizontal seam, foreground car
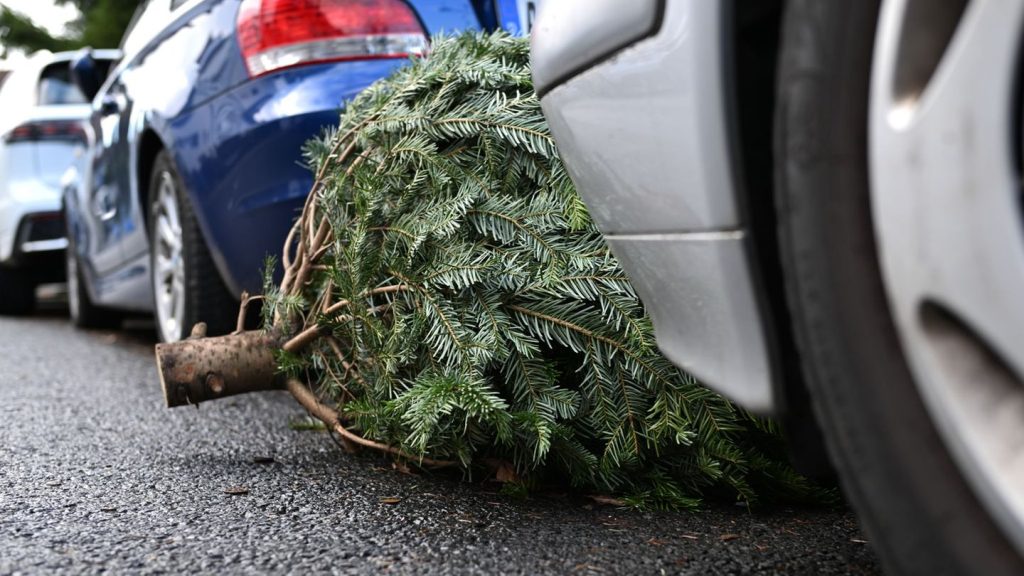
point(672, 128)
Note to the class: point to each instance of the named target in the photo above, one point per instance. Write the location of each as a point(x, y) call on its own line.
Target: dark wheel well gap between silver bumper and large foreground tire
point(755, 50)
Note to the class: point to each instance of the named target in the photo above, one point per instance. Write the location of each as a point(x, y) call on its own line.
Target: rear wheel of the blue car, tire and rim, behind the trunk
point(188, 289)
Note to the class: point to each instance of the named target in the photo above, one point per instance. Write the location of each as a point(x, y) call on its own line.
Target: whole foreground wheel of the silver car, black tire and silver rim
point(915, 466)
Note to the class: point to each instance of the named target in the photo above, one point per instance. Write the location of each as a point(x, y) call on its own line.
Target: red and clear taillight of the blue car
point(277, 34)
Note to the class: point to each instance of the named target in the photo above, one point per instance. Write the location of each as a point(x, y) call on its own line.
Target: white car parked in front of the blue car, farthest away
point(41, 135)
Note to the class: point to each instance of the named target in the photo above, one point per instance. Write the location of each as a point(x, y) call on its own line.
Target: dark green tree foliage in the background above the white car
point(101, 24)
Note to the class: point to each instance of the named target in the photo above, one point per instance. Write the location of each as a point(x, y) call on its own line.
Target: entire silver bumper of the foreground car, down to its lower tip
point(652, 155)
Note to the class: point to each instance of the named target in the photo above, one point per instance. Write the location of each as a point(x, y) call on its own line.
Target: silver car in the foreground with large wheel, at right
point(824, 200)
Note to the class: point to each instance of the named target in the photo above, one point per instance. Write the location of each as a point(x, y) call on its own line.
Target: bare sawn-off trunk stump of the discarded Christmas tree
point(200, 369)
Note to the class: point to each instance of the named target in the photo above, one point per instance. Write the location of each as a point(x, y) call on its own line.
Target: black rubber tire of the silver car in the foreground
point(916, 506)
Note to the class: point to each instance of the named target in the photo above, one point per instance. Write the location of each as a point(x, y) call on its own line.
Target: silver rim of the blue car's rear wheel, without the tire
point(168, 262)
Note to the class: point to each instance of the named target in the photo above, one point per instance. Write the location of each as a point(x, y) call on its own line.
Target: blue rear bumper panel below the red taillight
point(240, 201)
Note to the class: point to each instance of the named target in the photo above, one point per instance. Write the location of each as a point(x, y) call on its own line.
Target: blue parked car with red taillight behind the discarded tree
point(195, 172)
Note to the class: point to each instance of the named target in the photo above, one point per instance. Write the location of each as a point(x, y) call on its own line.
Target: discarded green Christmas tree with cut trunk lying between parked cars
point(447, 300)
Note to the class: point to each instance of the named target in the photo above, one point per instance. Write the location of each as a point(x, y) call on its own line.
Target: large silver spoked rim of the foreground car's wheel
point(946, 199)
